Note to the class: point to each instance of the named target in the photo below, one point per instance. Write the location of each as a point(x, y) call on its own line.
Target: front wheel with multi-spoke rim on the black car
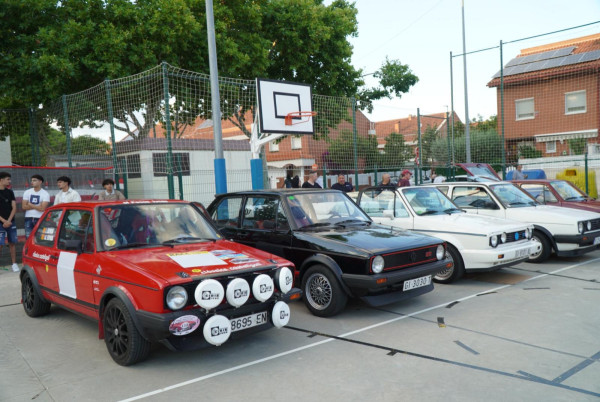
point(323, 294)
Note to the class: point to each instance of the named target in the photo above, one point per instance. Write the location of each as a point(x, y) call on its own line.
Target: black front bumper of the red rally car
point(155, 326)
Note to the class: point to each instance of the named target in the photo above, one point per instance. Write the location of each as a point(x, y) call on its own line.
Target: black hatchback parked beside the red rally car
point(337, 249)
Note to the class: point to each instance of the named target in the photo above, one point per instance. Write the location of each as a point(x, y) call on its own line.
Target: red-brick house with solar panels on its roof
point(551, 96)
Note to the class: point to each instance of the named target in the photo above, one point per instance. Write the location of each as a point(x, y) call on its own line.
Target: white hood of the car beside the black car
point(463, 222)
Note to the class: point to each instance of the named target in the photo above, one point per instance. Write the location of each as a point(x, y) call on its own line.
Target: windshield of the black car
point(324, 208)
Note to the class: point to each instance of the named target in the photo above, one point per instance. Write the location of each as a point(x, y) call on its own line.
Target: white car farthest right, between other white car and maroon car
point(566, 231)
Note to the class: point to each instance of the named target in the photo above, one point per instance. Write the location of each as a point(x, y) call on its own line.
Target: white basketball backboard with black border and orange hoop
point(276, 99)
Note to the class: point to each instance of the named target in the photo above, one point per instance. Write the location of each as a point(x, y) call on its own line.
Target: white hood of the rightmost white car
point(545, 214)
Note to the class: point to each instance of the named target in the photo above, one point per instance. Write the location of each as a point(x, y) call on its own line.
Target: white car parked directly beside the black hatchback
point(475, 243)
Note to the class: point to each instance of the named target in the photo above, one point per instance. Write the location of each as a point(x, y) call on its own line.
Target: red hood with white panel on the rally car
point(195, 259)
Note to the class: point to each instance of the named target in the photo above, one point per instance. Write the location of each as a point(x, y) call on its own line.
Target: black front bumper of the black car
point(386, 287)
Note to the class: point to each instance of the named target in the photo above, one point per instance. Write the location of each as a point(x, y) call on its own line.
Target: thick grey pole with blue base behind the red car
point(219, 163)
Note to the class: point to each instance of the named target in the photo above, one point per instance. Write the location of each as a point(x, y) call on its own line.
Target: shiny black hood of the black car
point(366, 240)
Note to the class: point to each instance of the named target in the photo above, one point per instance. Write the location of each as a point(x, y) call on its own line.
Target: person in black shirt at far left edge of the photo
point(8, 209)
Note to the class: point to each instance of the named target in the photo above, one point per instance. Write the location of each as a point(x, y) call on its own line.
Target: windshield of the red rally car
point(132, 225)
